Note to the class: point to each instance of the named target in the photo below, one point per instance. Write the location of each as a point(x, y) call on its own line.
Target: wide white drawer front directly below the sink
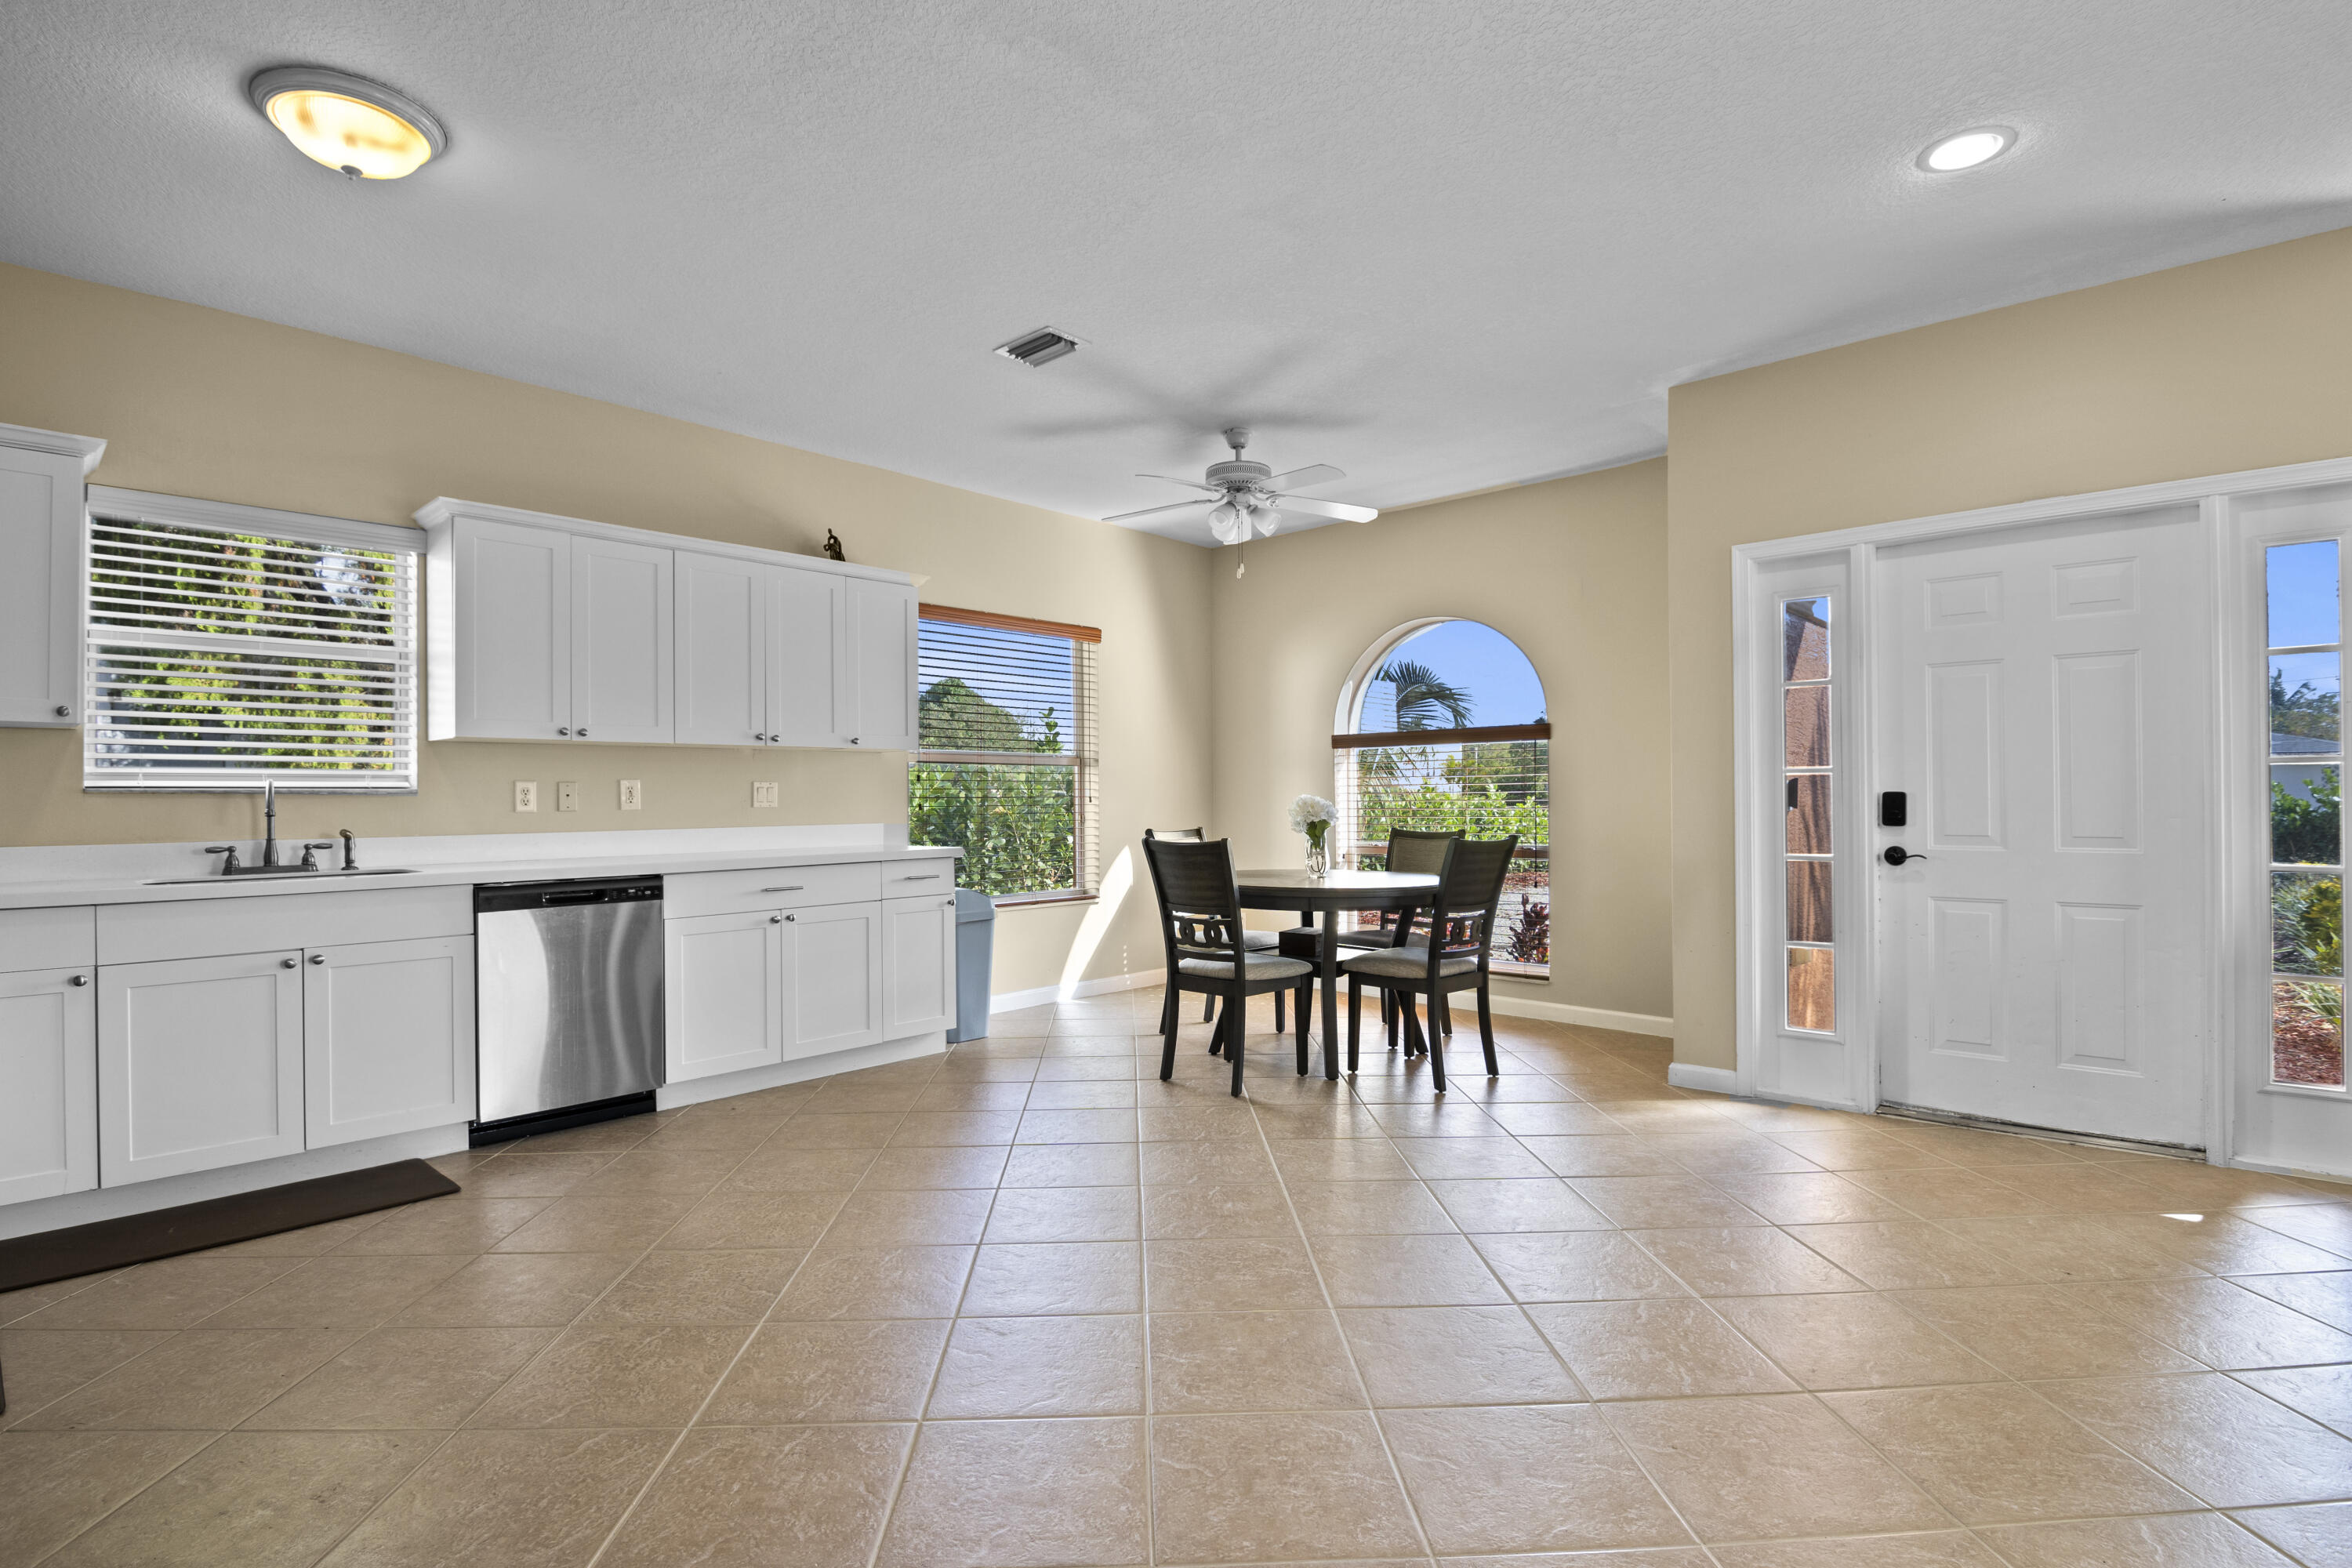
point(211, 927)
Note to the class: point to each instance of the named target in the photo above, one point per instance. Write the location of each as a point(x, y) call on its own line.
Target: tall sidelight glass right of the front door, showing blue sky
point(2306, 815)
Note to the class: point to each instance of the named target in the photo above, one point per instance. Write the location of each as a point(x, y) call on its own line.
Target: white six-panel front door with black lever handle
point(2043, 704)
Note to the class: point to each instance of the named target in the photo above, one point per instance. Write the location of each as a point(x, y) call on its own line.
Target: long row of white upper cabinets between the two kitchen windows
point(552, 629)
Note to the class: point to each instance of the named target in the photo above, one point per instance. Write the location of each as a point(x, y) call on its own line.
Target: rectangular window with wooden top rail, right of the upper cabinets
point(1008, 751)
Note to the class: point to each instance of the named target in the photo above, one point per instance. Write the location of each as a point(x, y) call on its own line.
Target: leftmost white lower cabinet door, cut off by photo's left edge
point(48, 1085)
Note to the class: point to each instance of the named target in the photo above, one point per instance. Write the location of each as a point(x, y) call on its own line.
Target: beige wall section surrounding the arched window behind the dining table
point(1572, 572)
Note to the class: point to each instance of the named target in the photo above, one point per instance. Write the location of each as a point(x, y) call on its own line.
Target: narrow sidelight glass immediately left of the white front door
point(1808, 782)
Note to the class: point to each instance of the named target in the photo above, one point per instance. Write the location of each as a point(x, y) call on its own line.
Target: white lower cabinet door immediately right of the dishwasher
point(723, 993)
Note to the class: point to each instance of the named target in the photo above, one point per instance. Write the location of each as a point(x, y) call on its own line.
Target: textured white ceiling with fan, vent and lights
point(1438, 246)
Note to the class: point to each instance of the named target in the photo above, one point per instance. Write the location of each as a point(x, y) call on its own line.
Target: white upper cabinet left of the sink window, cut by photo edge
point(41, 575)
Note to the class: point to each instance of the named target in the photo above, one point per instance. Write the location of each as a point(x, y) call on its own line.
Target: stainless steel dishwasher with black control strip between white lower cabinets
point(568, 981)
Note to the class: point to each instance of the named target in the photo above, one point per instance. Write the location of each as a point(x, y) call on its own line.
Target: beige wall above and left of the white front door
point(2212, 368)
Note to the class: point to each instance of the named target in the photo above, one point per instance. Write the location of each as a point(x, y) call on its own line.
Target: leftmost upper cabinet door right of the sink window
point(514, 636)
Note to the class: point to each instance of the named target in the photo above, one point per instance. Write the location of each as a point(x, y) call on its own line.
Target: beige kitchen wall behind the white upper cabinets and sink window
point(201, 403)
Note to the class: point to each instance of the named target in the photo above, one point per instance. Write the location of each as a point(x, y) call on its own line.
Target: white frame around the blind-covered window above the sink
point(298, 530)
